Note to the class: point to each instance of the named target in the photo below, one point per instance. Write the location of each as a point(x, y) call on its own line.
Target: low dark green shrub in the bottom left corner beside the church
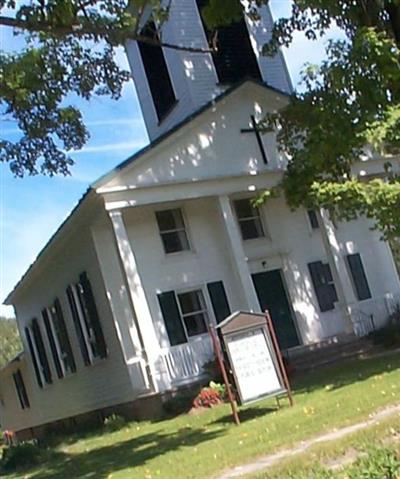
point(24, 454)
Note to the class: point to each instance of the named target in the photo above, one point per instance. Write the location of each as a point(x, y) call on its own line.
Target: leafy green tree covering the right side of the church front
point(351, 103)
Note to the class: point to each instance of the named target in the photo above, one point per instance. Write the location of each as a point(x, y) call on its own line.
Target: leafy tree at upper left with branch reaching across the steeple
point(70, 51)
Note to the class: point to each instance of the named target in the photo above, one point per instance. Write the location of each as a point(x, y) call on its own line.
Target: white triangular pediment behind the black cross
point(208, 146)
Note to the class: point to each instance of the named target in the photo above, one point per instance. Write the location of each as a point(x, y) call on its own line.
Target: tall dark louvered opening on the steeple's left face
point(157, 73)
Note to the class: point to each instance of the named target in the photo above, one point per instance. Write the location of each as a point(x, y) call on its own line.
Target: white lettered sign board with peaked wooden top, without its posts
point(252, 357)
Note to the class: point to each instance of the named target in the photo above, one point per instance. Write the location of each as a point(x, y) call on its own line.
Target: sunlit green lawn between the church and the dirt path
point(202, 445)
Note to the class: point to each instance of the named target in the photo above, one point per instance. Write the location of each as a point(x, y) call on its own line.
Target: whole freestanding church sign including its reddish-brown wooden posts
point(252, 352)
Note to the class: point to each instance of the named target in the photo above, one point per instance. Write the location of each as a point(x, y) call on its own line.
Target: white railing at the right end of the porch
point(372, 314)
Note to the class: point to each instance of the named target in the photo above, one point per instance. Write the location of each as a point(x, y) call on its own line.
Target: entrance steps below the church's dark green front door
point(331, 350)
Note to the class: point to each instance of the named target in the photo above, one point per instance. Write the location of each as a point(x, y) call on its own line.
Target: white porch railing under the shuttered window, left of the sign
point(186, 361)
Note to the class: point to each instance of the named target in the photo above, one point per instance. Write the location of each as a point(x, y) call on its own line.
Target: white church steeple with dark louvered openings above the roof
point(173, 84)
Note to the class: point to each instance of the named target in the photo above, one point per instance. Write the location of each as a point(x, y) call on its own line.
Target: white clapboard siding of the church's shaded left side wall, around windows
point(103, 383)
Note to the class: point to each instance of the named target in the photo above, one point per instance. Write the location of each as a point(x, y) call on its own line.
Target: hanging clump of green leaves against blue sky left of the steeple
point(34, 88)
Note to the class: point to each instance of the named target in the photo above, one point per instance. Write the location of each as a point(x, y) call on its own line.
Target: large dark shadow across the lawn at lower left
point(134, 452)
